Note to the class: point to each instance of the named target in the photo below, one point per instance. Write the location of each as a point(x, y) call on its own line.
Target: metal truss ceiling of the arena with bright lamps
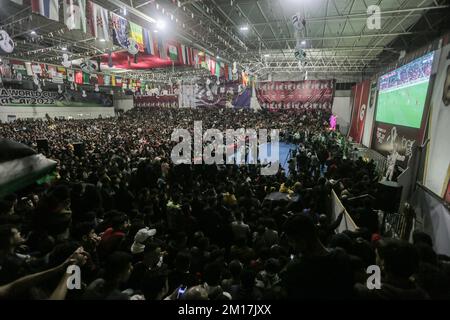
point(258, 34)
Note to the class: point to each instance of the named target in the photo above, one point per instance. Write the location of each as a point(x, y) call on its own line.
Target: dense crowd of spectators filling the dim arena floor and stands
point(140, 227)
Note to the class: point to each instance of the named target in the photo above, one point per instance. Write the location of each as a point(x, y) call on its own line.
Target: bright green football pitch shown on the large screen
point(403, 106)
